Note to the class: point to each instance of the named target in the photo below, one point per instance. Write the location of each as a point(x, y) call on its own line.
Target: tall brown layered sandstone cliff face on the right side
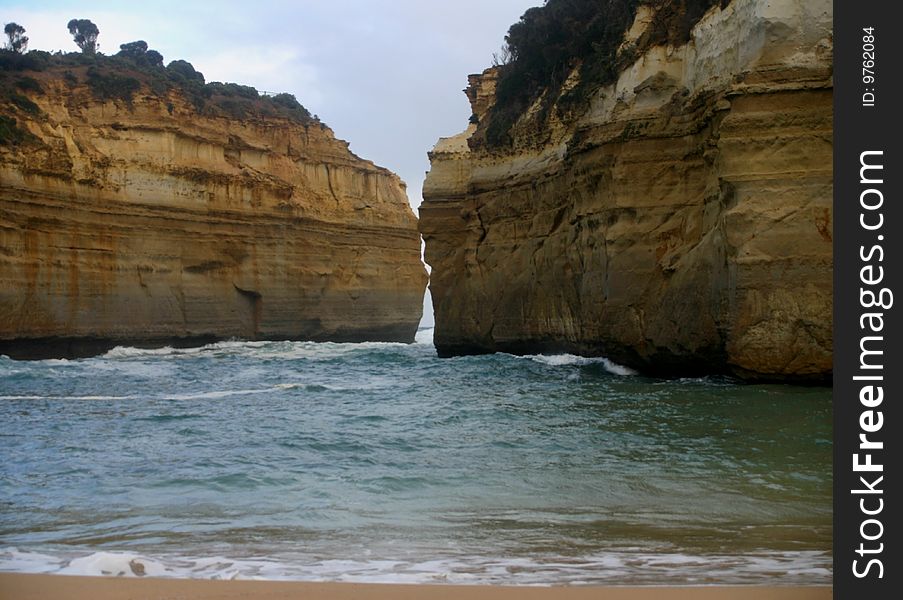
point(681, 225)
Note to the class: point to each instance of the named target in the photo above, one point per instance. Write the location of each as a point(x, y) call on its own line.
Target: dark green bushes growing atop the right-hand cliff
point(551, 41)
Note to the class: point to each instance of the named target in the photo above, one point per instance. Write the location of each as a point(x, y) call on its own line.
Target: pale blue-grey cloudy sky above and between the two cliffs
point(386, 75)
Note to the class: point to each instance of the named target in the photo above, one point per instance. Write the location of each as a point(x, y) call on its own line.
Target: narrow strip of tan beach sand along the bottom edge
point(27, 586)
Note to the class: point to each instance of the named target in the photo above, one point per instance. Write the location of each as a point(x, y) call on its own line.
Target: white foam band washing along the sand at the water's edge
point(633, 566)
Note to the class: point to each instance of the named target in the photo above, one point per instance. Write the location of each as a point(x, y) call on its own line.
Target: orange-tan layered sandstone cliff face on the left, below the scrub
point(144, 222)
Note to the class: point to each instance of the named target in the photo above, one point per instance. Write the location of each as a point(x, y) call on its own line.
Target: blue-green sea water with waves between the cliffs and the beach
point(383, 463)
